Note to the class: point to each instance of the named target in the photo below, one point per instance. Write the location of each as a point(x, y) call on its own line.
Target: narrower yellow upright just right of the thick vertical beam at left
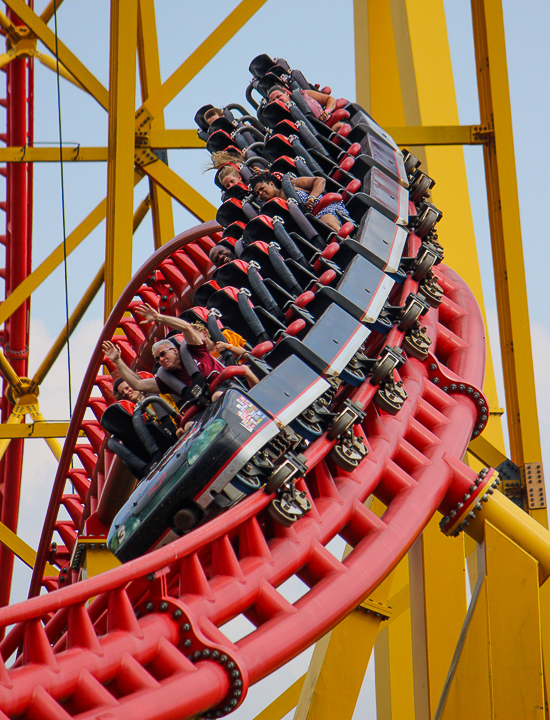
point(149, 72)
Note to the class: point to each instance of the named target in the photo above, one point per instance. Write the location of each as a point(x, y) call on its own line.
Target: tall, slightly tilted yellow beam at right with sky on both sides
point(509, 270)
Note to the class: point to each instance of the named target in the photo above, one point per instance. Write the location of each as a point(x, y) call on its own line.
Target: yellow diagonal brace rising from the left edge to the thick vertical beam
point(30, 283)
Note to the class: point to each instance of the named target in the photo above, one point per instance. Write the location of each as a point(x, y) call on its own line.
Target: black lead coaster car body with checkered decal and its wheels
point(228, 454)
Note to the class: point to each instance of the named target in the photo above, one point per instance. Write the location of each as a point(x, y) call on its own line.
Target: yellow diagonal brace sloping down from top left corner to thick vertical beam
point(70, 61)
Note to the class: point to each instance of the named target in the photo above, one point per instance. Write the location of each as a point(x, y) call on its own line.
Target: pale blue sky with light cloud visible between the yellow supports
point(314, 37)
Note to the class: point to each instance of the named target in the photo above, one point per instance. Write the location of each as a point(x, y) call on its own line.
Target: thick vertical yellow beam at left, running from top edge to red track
point(120, 168)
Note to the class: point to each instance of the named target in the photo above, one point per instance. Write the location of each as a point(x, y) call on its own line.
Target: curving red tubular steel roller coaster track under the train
point(143, 641)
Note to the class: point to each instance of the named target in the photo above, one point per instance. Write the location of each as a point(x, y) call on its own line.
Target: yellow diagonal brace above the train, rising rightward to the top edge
point(202, 55)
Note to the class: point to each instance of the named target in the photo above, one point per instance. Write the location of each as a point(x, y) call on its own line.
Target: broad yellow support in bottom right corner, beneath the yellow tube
point(497, 669)
